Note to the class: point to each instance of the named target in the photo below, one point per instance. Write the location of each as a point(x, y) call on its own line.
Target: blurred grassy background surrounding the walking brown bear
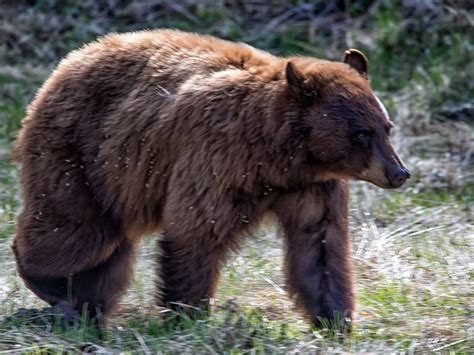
point(413, 247)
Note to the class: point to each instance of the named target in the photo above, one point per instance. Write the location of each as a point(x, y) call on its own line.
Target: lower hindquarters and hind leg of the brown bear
point(73, 262)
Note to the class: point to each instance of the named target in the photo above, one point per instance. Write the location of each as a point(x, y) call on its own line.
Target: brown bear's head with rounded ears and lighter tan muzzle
point(347, 126)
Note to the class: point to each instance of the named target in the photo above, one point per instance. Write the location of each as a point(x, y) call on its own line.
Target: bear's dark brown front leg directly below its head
point(319, 258)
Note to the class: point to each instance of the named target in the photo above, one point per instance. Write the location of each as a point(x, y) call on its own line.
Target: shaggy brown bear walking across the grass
point(198, 138)
